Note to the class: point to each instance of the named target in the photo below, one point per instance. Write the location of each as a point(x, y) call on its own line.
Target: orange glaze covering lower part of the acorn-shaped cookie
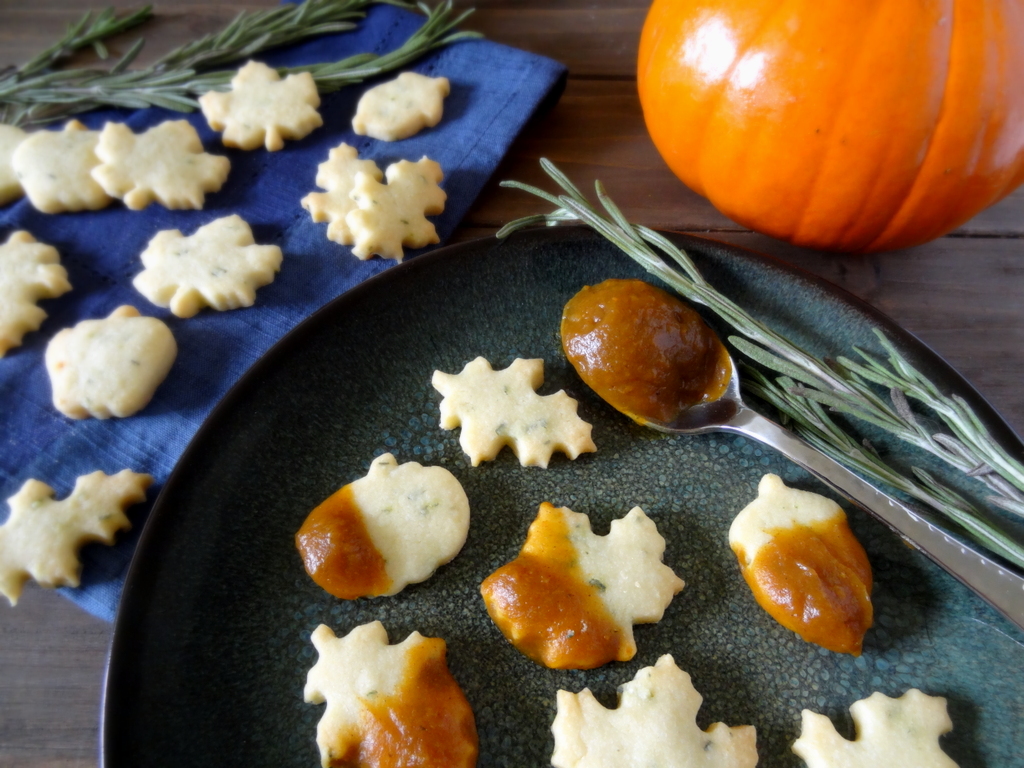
point(817, 581)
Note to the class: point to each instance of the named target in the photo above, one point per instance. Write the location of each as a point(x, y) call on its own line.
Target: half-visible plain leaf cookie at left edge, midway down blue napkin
point(29, 272)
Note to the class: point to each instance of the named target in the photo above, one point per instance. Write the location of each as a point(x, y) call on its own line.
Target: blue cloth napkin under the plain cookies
point(495, 91)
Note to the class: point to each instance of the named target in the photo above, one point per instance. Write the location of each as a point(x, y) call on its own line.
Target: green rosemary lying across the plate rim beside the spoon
point(809, 389)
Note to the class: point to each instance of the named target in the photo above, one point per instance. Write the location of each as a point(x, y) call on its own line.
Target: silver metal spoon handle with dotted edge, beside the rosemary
point(1001, 588)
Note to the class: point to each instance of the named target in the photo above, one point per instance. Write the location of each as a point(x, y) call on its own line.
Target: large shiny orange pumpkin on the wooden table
point(851, 126)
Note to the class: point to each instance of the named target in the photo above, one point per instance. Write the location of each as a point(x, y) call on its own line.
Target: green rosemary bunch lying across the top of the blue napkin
point(40, 95)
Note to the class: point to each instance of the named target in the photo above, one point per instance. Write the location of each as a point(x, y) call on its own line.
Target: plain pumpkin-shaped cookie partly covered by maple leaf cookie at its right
point(55, 168)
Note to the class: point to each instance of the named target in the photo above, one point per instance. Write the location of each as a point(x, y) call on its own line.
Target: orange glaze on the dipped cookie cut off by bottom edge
point(428, 722)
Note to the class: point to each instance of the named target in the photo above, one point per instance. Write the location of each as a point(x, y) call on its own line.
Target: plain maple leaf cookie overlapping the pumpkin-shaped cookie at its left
point(165, 164)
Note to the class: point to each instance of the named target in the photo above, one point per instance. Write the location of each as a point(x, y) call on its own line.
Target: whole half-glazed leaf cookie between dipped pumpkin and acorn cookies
point(571, 599)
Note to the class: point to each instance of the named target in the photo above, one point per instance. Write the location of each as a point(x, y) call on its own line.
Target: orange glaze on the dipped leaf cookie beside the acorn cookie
point(543, 605)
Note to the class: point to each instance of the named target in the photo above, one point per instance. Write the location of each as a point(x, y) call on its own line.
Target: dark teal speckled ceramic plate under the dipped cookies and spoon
point(211, 646)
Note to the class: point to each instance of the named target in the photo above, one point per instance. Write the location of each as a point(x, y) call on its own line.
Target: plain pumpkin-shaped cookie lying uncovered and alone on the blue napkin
point(112, 367)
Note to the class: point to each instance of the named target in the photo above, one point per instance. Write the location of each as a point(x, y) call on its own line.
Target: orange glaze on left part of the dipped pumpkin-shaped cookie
point(338, 552)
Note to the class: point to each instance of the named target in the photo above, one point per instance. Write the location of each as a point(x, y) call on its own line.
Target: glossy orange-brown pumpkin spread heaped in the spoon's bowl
point(645, 352)
